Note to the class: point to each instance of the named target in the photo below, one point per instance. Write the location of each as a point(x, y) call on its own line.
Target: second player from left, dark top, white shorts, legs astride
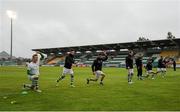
point(69, 60)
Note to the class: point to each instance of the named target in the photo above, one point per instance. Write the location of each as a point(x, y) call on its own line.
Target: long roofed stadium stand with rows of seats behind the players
point(117, 52)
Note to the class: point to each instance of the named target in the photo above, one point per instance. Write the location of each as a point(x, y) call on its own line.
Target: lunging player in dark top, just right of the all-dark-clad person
point(149, 69)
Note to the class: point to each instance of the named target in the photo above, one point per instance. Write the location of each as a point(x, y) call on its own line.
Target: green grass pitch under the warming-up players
point(116, 94)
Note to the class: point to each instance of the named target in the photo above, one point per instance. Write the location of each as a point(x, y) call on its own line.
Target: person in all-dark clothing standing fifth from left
point(139, 67)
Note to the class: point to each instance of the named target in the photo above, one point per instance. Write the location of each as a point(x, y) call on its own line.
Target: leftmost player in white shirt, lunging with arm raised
point(33, 74)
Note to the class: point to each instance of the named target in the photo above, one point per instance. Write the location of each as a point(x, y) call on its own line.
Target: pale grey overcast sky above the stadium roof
point(56, 23)
